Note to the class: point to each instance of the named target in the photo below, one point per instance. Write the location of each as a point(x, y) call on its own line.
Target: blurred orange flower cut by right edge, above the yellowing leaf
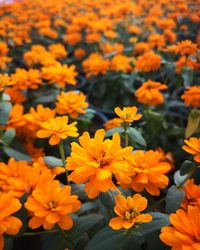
point(191, 96)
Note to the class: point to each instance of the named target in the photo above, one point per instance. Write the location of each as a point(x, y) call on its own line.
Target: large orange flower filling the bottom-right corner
point(185, 230)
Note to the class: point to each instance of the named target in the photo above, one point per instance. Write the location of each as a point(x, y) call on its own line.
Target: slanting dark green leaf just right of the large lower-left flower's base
point(84, 224)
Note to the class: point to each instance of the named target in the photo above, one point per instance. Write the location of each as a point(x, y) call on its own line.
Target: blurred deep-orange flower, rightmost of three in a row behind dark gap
point(148, 62)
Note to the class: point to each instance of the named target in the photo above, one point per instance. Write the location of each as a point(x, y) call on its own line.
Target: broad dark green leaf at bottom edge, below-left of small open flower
point(107, 239)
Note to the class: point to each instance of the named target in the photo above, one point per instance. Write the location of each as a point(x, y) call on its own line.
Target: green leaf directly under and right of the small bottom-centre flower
point(159, 220)
